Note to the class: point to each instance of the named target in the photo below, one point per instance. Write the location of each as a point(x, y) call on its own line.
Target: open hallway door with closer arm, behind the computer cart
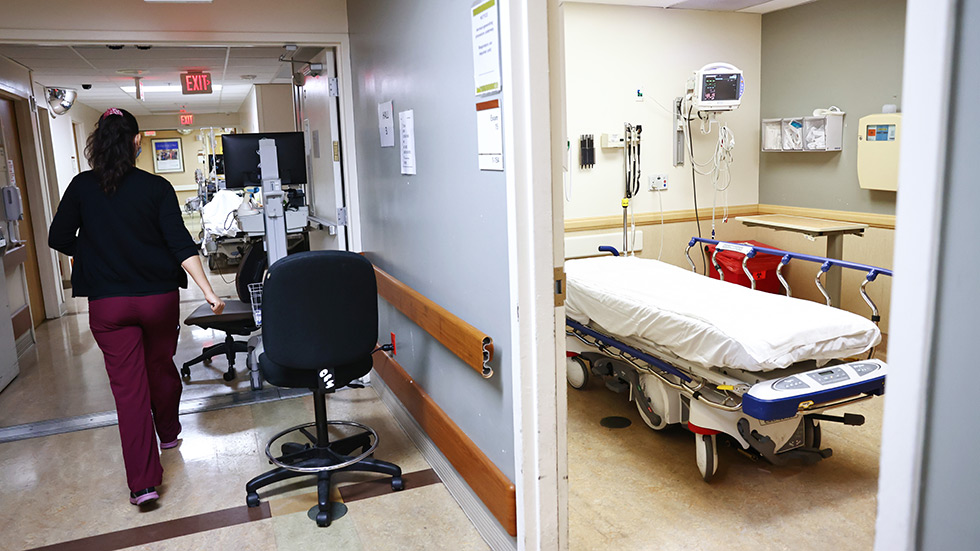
point(318, 113)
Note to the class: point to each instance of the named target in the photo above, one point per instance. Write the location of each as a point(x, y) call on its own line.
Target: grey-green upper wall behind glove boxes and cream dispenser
point(830, 52)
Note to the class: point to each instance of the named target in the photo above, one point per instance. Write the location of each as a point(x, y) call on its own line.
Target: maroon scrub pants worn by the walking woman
point(138, 337)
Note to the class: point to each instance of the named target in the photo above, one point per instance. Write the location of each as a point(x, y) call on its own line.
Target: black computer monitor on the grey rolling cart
point(241, 156)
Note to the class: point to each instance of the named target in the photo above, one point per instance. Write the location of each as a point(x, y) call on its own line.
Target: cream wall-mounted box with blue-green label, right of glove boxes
point(879, 136)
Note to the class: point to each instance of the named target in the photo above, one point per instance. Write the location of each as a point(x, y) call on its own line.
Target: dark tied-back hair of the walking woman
point(110, 149)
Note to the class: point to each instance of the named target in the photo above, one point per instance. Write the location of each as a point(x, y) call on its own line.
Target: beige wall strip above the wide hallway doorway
point(71, 19)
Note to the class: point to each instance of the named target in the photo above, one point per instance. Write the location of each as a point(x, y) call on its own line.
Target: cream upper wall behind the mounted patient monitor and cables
point(610, 52)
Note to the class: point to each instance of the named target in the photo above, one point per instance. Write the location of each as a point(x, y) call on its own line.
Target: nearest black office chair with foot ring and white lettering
point(319, 330)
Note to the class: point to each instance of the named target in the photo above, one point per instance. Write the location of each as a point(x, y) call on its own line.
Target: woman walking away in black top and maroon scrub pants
point(123, 227)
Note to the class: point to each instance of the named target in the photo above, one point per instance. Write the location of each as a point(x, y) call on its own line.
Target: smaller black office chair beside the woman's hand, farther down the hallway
point(236, 319)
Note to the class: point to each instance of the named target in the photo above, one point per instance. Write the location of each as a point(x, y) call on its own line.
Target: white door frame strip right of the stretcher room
point(930, 30)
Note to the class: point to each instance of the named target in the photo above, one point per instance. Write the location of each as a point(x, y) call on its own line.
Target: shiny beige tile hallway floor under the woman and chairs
point(69, 490)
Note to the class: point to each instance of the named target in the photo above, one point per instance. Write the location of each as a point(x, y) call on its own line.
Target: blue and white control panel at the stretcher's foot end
point(784, 397)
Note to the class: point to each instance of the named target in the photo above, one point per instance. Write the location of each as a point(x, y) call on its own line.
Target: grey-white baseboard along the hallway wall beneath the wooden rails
point(481, 517)
